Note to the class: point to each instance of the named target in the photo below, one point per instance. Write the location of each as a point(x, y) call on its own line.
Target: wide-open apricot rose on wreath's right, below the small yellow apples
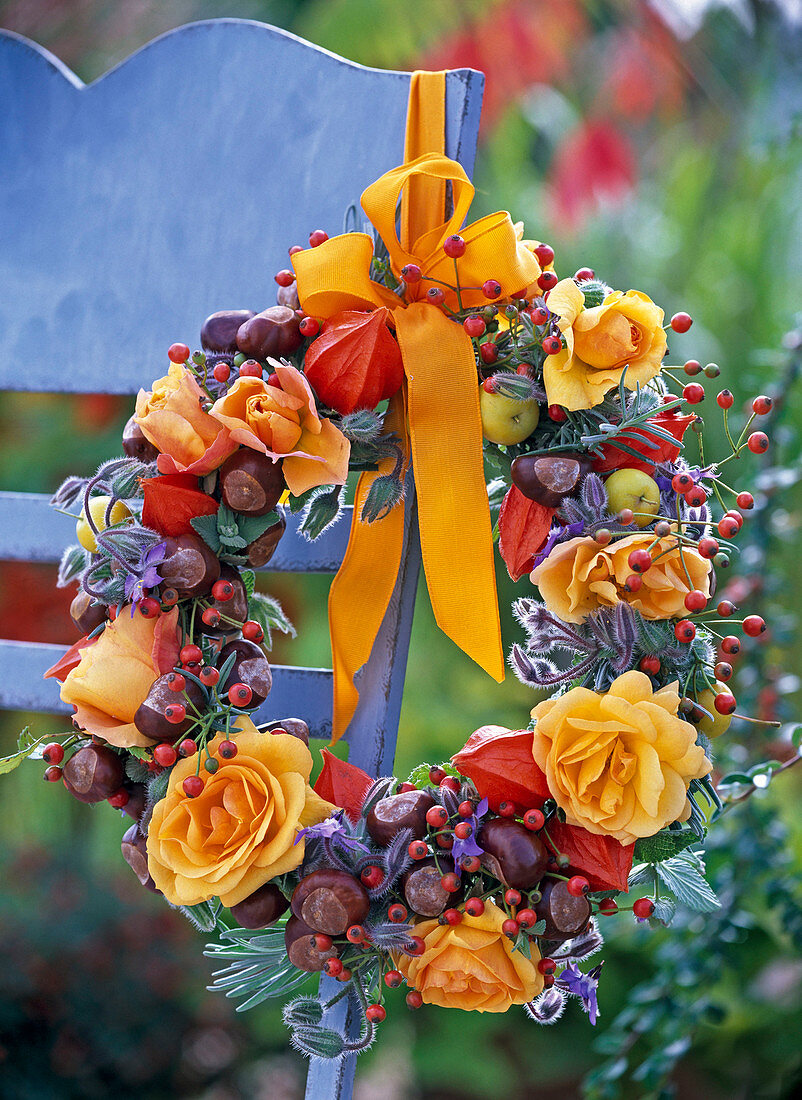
point(579, 577)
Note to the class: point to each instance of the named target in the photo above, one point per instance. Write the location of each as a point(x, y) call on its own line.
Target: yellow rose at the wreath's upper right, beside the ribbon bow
point(625, 332)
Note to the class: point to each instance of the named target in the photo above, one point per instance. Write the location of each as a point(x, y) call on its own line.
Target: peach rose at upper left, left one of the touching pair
point(172, 419)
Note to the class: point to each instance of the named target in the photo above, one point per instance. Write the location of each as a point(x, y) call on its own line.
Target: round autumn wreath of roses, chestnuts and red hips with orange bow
point(478, 884)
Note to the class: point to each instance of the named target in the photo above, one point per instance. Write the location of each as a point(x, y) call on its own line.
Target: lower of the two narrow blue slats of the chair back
point(296, 692)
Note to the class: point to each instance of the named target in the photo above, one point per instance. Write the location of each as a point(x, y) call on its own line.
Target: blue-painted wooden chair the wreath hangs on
point(131, 208)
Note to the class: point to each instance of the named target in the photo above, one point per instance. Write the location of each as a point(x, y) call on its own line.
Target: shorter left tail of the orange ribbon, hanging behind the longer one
point(362, 589)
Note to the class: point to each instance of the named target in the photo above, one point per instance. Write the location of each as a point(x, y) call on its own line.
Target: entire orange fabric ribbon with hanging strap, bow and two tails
point(442, 398)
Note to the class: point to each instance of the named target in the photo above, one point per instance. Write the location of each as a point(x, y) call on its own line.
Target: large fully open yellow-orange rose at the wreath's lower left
point(240, 831)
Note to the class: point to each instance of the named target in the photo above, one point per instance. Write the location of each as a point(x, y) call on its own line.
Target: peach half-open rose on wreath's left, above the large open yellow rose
point(116, 673)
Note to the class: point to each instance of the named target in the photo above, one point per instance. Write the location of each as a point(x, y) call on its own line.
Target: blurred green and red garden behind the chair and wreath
point(660, 144)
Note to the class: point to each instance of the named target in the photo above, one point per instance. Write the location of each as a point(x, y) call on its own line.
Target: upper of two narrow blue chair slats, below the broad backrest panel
point(32, 531)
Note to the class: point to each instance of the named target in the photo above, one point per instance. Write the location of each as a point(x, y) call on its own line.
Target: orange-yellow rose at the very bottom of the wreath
point(473, 965)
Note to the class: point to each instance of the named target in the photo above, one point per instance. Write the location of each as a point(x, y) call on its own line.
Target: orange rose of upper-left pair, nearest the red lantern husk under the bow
point(284, 424)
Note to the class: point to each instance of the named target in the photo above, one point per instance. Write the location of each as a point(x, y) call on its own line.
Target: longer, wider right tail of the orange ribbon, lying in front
point(456, 533)
